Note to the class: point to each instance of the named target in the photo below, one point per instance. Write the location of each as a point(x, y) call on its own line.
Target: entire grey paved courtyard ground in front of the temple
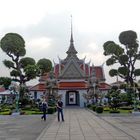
point(80, 124)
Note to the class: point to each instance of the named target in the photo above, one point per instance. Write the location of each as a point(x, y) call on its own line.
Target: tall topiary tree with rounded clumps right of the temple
point(126, 56)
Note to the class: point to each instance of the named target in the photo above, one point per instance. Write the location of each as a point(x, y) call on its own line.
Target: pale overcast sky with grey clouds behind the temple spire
point(45, 26)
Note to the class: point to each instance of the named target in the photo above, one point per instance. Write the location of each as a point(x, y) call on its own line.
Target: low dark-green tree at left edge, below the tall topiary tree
point(5, 81)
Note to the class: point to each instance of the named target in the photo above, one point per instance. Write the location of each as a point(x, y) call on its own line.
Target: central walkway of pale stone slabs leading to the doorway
point(80, 124)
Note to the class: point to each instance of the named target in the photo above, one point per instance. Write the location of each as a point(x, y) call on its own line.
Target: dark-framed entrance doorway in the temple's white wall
point(72, 98)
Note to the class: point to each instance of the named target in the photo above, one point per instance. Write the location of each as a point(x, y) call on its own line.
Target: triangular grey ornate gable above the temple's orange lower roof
point(72, 71)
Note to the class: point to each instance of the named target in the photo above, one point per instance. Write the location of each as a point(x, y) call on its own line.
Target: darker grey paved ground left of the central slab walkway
point(22, 127)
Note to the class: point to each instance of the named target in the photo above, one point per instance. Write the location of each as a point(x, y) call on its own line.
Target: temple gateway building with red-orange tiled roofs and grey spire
point(74, 79)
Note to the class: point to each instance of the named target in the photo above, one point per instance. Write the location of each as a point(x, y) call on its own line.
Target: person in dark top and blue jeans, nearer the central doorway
point(60, 110)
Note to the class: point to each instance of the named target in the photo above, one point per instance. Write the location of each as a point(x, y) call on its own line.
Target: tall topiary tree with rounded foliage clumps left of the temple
point(22, 68)
